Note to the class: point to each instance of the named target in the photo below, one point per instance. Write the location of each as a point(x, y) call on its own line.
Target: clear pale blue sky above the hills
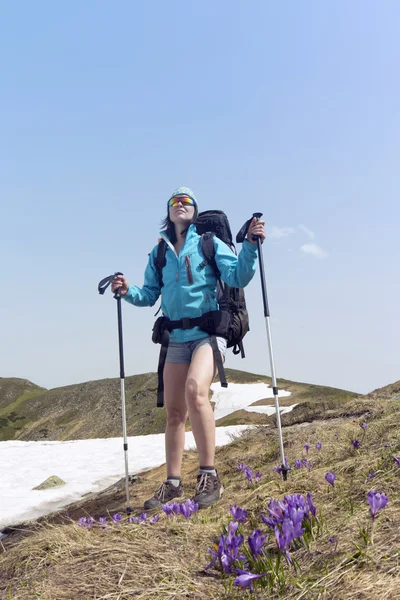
point(291, 109)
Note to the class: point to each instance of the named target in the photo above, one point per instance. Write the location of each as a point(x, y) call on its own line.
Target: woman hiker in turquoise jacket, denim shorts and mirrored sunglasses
point(188, 291)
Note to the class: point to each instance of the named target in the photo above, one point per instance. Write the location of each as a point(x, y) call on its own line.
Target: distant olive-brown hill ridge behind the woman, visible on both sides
point(93, 409)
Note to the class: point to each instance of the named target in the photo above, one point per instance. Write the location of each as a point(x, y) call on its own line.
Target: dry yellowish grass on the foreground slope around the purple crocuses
point(61, 561)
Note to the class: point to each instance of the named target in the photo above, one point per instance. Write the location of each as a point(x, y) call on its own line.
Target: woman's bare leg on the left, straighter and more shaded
point(175, 404)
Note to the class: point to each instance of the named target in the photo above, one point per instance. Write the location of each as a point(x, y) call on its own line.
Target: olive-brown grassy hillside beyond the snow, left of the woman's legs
point(91, 409)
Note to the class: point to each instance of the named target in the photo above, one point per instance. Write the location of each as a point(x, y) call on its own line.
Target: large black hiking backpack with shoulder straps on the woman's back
point(232, 302)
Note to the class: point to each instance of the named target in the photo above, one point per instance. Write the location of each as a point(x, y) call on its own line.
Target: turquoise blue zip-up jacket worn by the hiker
point(189, 283)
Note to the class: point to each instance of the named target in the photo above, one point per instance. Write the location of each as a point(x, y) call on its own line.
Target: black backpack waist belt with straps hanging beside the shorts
point(206, 323)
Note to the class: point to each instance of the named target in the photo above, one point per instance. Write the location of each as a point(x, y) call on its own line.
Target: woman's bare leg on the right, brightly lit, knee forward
point(198, 382)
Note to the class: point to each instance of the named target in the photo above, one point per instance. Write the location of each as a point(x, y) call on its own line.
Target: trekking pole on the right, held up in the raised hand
point(239, 238)
